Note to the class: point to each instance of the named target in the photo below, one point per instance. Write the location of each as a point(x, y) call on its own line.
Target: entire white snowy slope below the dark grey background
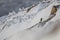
point(28, 26)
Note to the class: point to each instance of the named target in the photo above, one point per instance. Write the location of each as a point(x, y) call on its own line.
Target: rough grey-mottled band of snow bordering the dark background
point(19, 19)
